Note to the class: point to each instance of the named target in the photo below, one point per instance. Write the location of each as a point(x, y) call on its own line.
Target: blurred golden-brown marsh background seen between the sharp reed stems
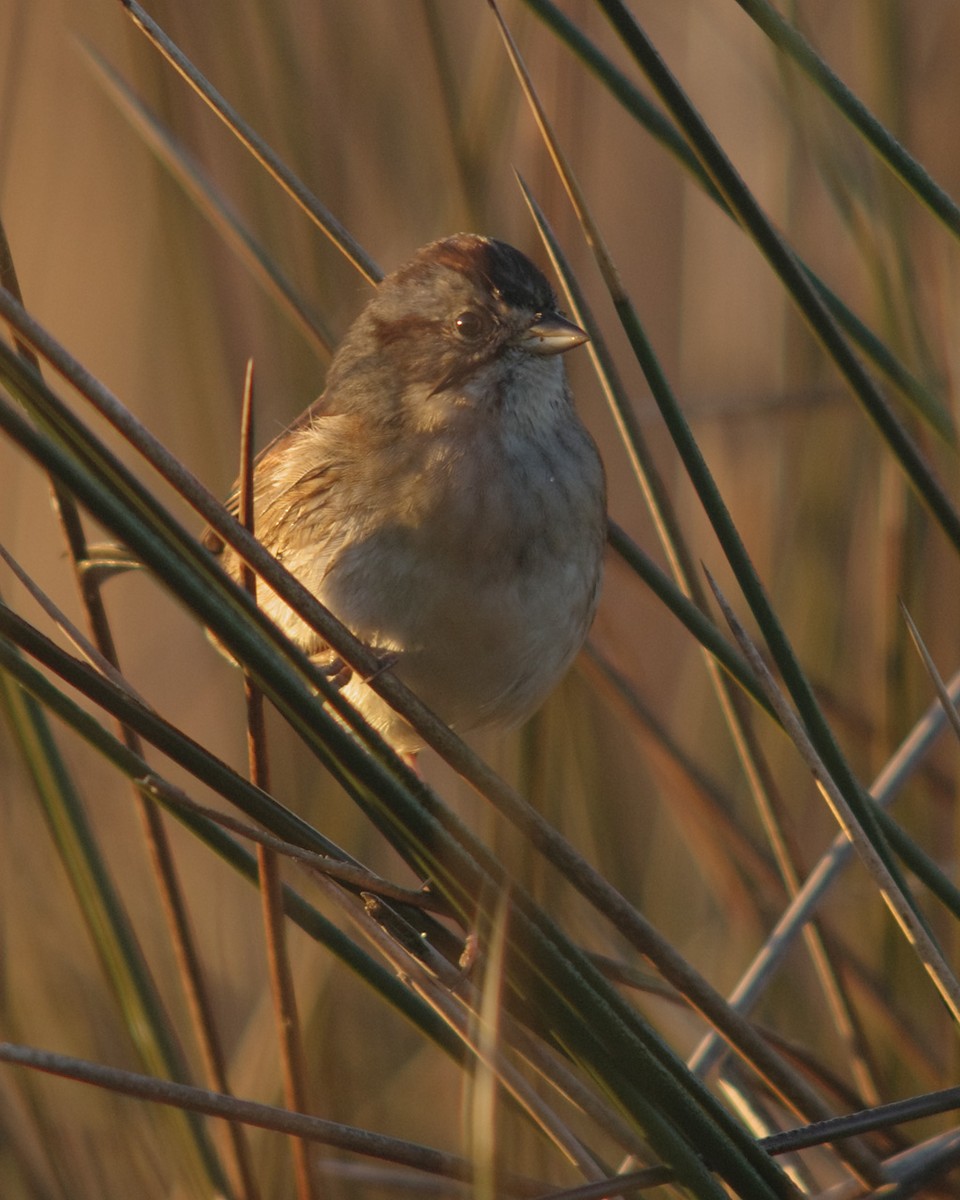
point(406, 121)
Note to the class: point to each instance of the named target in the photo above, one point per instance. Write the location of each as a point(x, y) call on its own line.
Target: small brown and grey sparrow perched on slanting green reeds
point(442, 496)
